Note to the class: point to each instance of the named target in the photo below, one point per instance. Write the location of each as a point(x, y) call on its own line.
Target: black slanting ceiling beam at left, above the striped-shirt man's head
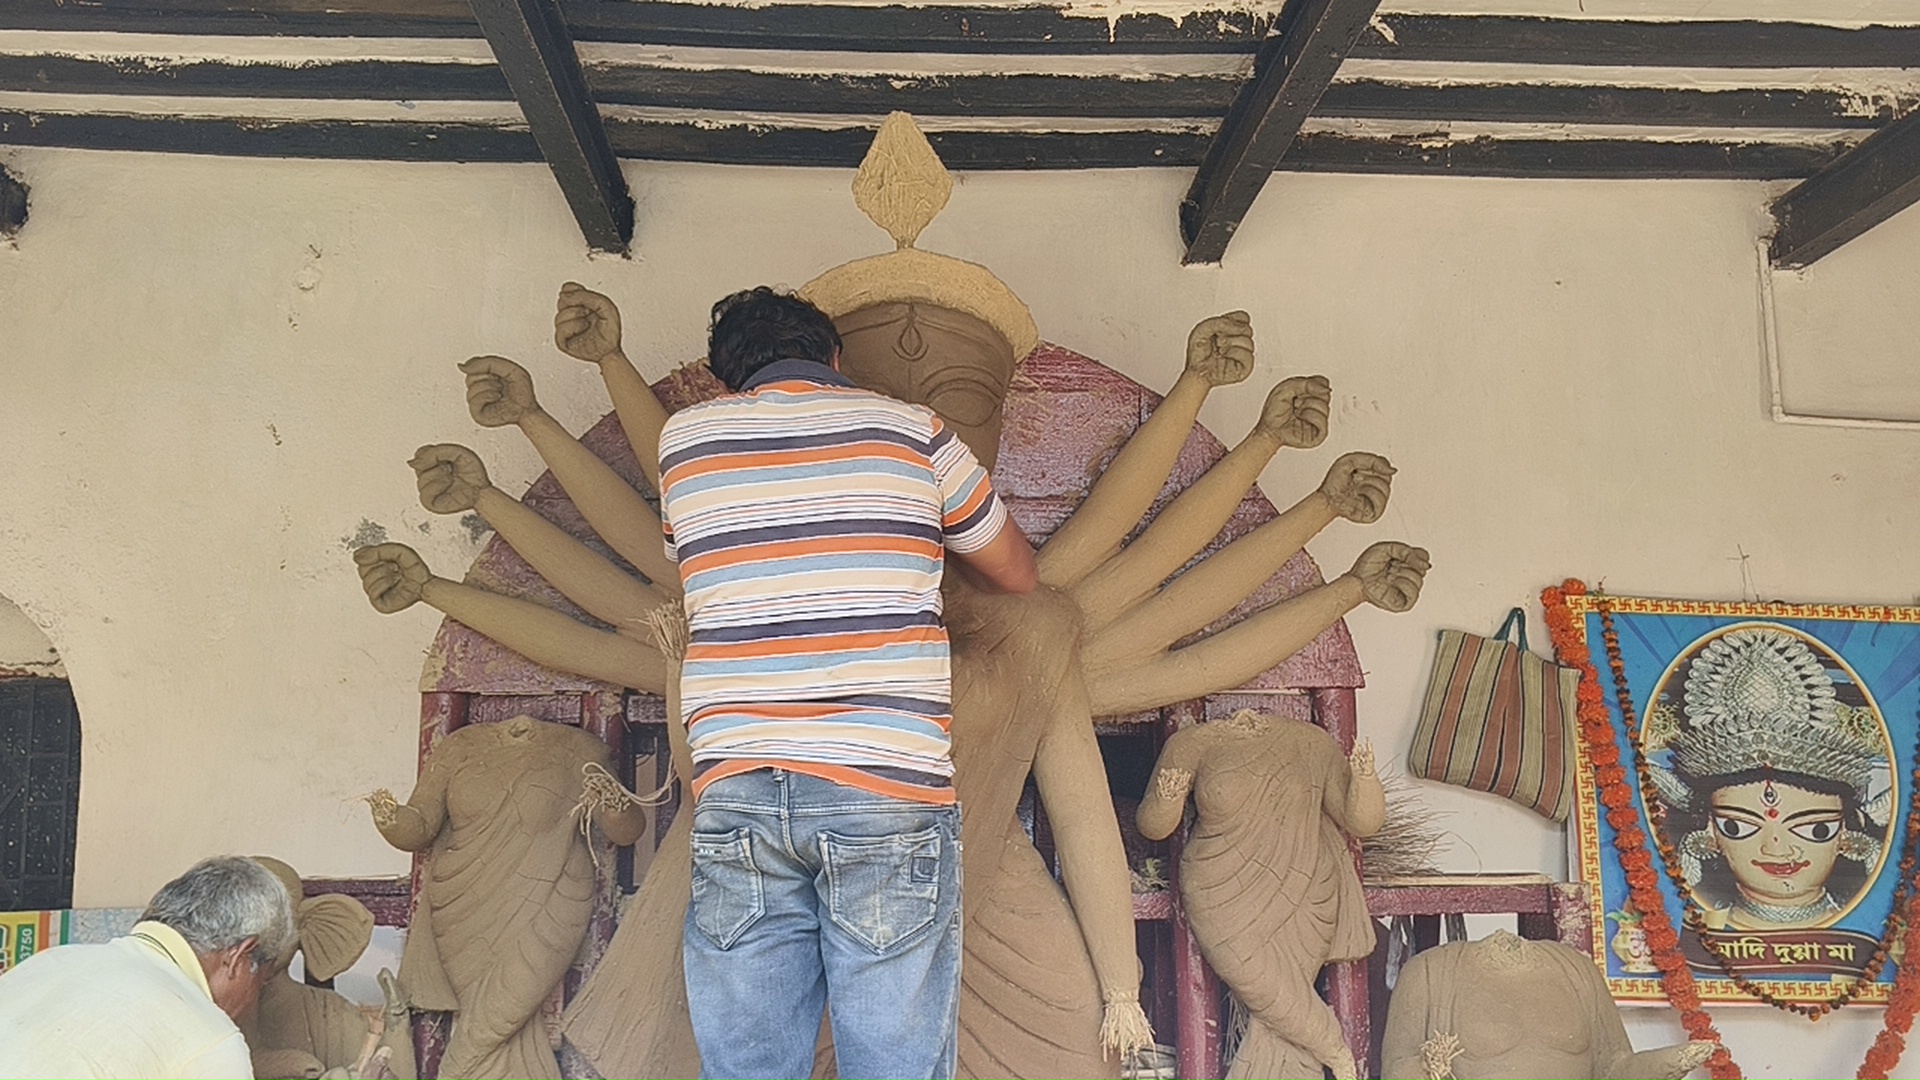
point(539, 59)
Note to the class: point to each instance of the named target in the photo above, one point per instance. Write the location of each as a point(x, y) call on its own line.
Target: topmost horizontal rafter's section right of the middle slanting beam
point(1685, 43)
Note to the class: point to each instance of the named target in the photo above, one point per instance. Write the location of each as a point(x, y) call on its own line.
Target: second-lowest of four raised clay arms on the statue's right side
point(1356, 489)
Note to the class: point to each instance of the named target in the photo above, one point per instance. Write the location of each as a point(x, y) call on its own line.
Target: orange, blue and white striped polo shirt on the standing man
point(811, 524)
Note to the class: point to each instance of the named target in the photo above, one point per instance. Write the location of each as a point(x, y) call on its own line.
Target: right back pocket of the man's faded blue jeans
point(884, 891)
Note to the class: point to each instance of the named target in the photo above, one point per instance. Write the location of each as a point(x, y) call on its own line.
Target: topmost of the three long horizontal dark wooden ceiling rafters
point(1032, 28)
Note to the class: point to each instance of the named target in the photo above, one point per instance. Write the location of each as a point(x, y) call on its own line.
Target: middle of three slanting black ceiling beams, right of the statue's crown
point(1289, 80)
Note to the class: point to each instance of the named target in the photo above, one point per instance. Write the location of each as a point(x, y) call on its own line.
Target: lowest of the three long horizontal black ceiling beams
point(844, 147)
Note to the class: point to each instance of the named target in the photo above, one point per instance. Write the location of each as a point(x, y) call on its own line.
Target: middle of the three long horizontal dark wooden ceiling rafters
point(951, 95)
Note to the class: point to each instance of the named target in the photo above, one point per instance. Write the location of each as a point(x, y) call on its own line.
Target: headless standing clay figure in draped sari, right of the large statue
point(1268, 879)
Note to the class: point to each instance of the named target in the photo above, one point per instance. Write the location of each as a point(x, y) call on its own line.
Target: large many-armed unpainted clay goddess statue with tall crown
point(1051, 979)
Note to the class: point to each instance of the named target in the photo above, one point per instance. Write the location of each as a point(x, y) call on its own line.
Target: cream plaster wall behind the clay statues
point(214, 372)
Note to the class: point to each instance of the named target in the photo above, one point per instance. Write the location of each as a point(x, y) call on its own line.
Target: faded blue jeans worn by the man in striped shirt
point(811, 896)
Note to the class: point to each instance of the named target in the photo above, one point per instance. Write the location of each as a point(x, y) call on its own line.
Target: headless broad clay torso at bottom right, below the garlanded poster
point(1514, 1010)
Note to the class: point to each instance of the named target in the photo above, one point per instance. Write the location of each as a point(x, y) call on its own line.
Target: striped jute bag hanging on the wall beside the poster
point(1499, 720)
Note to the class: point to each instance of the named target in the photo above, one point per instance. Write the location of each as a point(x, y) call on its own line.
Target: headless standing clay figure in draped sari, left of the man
point(508, 889)
